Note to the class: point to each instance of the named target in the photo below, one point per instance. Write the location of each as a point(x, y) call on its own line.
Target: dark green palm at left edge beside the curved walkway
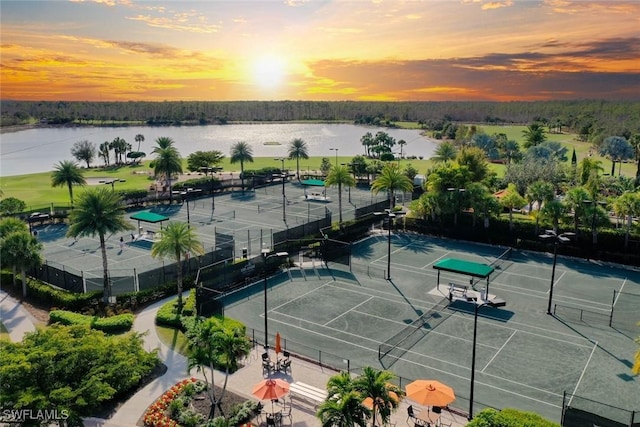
point(21, 250)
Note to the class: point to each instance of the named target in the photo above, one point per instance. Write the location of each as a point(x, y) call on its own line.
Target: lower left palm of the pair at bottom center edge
point(347, 411)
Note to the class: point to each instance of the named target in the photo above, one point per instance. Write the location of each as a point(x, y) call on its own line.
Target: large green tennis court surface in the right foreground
point(525, 358)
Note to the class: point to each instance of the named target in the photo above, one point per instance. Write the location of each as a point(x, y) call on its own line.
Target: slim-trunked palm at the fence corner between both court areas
point(176, 239)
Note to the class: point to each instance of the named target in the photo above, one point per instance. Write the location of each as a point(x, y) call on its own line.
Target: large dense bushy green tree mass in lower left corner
point(72, 368)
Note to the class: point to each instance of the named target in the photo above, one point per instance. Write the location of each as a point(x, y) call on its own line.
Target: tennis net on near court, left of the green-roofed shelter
point(396, 346)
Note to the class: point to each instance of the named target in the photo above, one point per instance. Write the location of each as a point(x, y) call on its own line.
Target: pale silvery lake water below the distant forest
point(38, 150)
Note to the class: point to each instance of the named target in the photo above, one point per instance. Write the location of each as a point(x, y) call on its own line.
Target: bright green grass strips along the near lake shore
point(35, 189)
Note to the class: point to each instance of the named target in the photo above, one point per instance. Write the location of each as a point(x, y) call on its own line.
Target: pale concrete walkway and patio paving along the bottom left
point(18, 322)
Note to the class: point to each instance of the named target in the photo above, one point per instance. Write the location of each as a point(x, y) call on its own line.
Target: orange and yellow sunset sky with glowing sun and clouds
point(361, 50)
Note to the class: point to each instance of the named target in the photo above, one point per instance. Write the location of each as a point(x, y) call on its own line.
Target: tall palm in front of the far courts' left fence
point(99, 211)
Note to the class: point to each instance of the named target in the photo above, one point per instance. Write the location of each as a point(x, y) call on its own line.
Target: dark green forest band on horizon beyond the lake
point(584, 117)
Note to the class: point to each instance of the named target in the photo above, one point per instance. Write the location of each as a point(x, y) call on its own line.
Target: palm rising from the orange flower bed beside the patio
point(213, 344)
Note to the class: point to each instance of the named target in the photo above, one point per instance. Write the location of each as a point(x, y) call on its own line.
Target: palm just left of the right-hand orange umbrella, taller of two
point(376, 385)
